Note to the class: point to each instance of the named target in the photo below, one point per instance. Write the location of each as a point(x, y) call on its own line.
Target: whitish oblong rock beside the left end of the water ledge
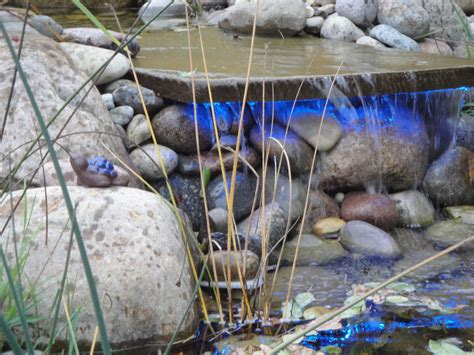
point(90, 59)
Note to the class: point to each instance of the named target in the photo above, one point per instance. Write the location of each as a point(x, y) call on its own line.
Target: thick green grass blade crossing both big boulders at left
point(67, 198)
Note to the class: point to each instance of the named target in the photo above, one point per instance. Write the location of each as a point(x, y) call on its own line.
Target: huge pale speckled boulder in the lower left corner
point(136, 253)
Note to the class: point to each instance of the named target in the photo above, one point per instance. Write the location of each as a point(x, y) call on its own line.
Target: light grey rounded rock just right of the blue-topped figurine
point(147, 163)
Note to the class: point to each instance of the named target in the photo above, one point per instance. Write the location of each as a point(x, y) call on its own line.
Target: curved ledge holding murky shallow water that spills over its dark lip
point(284, 67)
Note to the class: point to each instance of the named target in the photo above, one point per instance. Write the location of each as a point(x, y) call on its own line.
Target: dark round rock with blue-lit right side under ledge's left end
point(174, 127)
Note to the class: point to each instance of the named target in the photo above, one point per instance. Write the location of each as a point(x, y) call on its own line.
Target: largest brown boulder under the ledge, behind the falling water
point(355, 162)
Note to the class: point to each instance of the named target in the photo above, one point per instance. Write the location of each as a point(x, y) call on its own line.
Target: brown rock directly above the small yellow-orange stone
point(320, 206)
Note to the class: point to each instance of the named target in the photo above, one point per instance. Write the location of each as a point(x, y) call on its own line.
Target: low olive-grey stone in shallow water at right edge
point(447, 233)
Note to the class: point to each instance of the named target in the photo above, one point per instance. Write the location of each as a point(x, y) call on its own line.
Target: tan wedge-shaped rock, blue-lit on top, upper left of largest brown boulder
point(306, 125)
